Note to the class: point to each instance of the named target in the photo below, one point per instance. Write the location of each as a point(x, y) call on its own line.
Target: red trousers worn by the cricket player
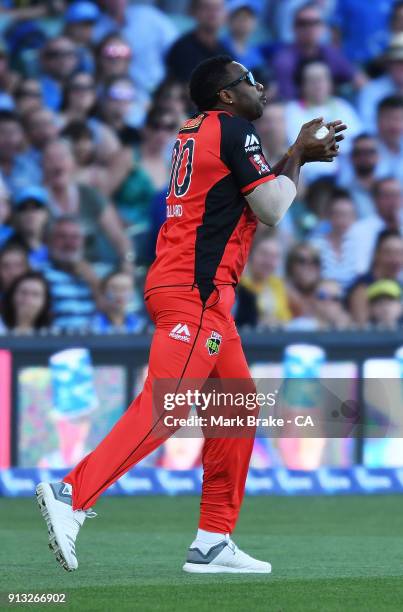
point(225, 460)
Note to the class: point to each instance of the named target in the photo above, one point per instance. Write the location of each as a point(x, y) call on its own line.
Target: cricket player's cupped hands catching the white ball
point(326, 149)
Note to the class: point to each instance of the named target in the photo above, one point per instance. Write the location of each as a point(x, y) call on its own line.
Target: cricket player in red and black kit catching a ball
point(220, 185)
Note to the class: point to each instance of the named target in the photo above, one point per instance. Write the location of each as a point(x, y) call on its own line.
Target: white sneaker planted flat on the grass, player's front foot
point(222, 557)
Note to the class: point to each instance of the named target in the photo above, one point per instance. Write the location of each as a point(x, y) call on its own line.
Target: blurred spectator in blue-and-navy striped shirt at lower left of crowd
point(72, 281)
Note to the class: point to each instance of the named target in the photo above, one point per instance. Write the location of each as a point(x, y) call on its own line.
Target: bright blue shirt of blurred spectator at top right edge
point(373, 23)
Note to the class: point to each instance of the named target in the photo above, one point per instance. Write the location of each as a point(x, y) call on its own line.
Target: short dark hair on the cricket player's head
point(206, 79)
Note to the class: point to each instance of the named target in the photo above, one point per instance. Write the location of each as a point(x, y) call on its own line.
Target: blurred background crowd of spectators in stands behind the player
point(91, 97)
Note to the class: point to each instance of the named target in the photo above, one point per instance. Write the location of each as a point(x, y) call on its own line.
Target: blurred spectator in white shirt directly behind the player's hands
point(316, 99)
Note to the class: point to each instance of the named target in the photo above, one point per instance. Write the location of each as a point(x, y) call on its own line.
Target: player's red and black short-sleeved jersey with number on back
point(206, 238)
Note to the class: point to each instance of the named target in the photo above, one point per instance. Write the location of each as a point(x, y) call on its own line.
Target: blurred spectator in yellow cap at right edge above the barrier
point(385, 304)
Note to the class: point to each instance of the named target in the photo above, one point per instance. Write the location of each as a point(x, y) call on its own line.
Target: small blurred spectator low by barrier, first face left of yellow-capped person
point(330, 310)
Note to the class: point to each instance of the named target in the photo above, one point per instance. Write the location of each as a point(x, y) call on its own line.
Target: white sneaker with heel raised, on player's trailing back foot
point(55, 504)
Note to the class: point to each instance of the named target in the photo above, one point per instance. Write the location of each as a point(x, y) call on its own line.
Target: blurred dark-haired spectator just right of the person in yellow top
point(303, 273)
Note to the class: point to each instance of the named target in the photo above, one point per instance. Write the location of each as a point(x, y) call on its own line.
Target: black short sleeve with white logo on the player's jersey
point(242, 153)
